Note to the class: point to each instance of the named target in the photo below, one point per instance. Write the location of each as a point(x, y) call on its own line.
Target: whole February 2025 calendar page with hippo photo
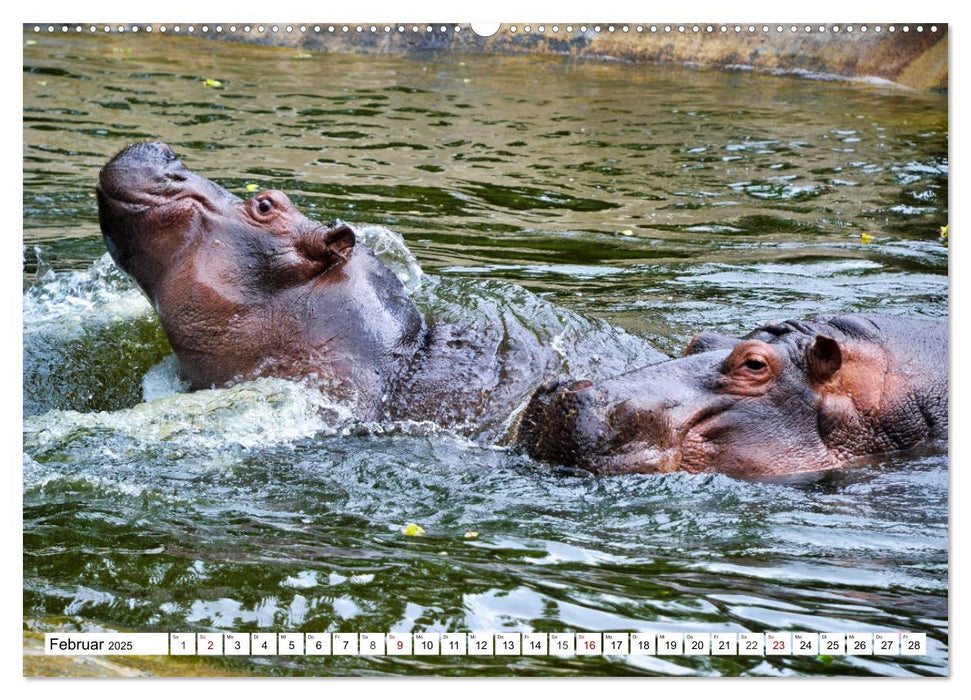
point(545, 348)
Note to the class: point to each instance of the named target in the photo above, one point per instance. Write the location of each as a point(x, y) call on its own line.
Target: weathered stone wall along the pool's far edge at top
point(916, 59)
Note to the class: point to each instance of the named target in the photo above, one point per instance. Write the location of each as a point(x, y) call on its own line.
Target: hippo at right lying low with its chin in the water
point(788, 398)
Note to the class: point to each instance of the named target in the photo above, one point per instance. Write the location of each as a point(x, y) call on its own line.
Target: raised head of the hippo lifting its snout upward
point(253, 288)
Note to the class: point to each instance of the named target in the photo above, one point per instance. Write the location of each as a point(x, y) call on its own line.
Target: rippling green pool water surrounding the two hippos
point(665, 201)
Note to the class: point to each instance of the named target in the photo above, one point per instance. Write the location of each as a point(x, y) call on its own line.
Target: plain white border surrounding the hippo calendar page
point(505, 10)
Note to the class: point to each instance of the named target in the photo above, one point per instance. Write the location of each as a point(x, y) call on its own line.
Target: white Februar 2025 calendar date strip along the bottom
point(564, 644)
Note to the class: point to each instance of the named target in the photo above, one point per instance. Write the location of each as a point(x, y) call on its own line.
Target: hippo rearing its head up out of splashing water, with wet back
point(253, 288)
